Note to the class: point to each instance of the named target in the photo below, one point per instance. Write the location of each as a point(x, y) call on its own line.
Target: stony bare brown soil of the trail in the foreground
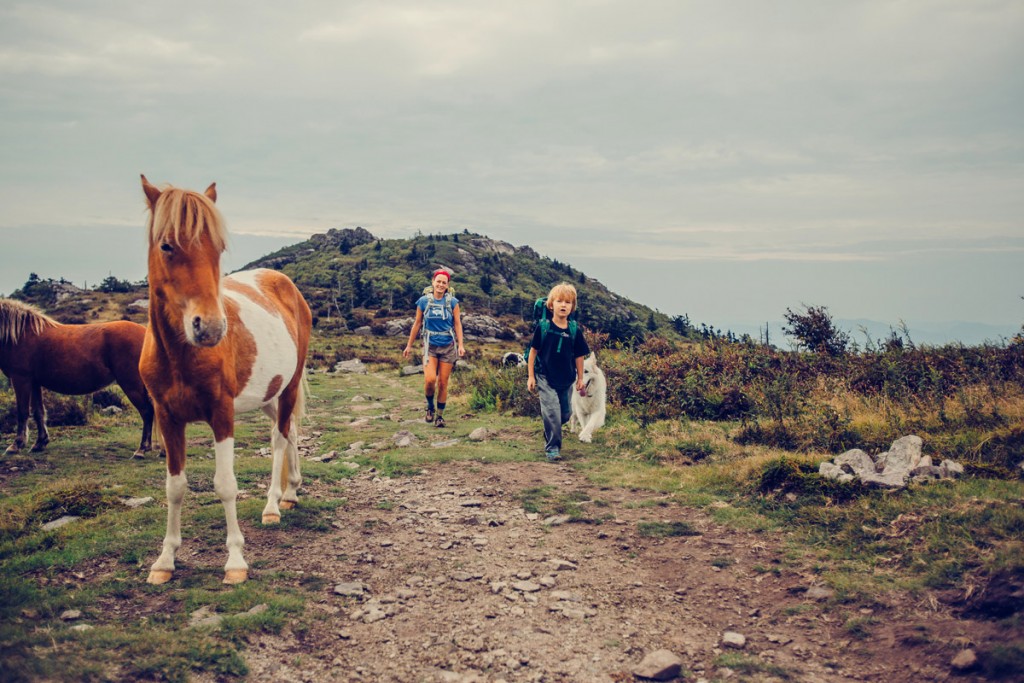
point(460, 584)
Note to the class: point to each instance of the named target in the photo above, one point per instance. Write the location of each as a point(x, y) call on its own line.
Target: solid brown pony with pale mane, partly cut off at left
point(37, 353)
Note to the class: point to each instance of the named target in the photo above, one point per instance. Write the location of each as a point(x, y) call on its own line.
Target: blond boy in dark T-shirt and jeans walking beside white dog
point(556, 365)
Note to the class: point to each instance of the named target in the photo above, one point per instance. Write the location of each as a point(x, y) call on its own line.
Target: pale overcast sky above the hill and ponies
point(727, 160)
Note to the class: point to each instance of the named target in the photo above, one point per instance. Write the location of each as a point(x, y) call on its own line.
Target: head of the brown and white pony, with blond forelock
point(185, 262)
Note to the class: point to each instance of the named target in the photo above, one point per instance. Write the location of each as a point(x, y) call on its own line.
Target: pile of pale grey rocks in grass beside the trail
point(903, 464)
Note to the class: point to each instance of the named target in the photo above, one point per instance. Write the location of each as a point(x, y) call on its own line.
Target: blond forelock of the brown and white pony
point(184, 218)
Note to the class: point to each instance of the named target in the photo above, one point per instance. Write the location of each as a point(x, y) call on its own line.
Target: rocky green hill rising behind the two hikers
point(352, 279)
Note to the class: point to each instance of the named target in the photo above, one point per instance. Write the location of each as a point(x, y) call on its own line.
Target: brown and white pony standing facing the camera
point(216, 348)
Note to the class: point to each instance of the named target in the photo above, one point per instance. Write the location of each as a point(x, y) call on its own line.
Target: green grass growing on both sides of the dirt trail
point(863, 543)
